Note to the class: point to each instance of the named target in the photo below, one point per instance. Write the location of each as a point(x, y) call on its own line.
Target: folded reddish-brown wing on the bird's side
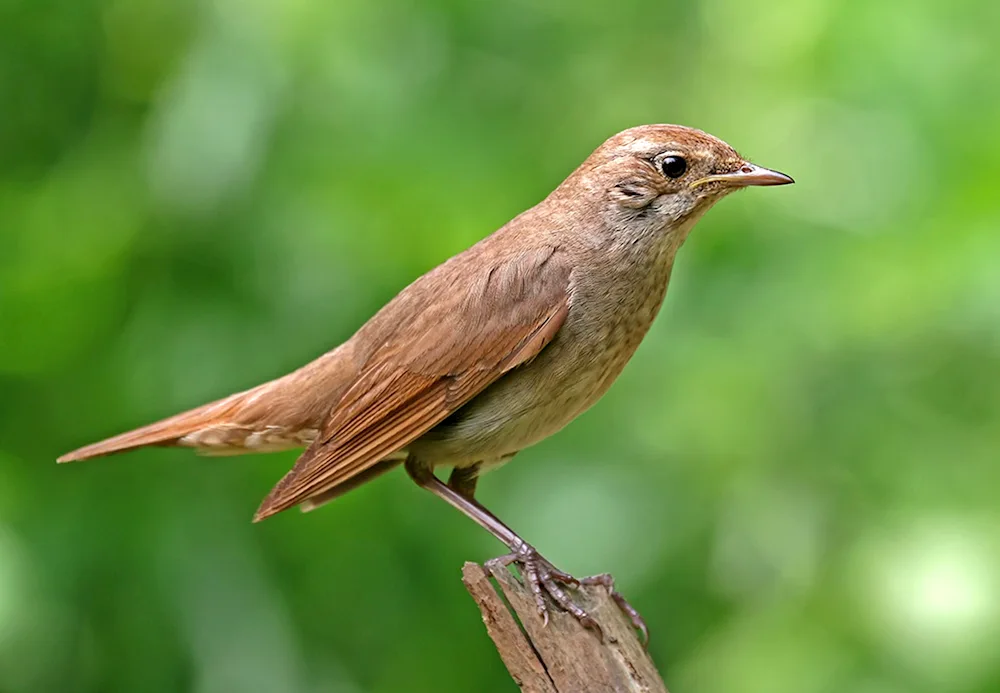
point(438, 344)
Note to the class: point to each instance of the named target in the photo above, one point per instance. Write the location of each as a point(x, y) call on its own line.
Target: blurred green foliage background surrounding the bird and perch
point(796, 480)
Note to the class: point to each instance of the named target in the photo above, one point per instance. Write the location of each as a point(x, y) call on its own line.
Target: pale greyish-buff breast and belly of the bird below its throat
point(612, 308)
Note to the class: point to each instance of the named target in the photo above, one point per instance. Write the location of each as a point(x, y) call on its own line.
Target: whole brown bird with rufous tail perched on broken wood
point(488, 353)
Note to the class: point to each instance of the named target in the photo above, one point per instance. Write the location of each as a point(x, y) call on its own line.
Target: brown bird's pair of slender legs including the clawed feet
point(542, 577)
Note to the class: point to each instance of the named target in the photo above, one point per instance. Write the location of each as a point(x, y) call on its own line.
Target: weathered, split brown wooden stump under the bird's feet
point(563, 657)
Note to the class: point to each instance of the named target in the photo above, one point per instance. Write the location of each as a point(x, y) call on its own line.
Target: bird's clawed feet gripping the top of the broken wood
point(544, 578)
